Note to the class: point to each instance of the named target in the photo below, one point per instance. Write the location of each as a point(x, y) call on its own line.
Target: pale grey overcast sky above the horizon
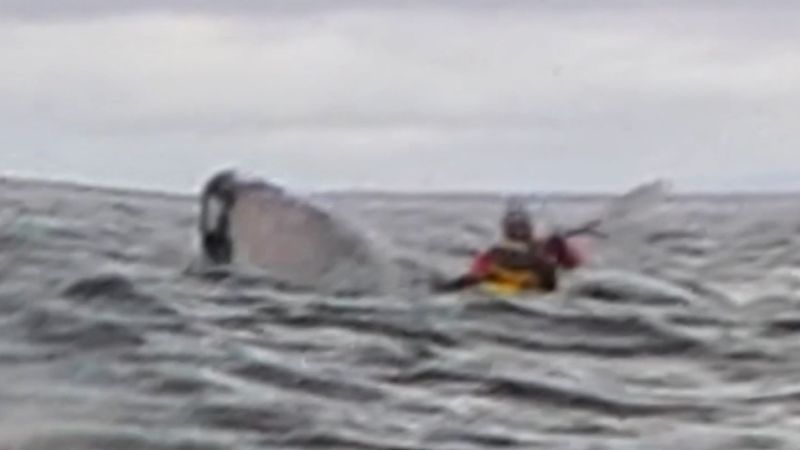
point(439, 94)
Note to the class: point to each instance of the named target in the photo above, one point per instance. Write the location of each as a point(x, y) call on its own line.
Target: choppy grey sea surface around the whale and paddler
point(682, 333)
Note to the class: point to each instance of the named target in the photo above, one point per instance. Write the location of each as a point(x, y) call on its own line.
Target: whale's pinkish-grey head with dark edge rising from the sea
point(245, 221)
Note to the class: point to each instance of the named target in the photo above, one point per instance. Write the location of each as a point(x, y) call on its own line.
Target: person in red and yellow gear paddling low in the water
point(520, 258)
